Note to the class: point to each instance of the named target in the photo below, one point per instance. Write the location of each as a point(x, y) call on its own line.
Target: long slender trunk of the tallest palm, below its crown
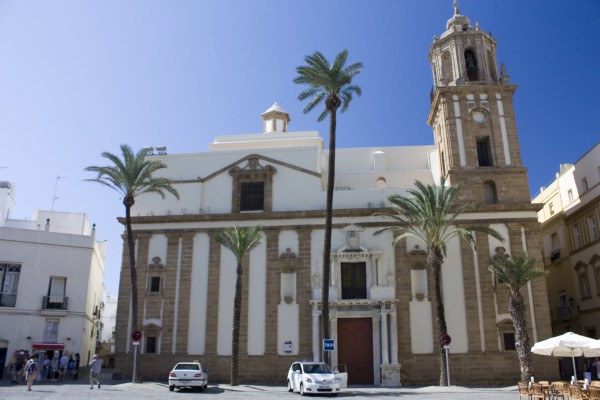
point(328, 228)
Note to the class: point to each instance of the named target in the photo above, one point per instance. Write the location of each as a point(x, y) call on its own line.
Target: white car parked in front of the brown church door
point(311, 377)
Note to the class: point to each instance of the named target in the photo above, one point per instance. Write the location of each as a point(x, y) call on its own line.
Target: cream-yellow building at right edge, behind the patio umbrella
point(571, 245)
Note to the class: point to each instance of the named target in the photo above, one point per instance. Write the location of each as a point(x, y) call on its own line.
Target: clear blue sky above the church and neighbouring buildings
point(78, 77)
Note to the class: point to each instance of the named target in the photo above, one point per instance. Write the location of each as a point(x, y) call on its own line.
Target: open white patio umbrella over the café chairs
point(568, 345)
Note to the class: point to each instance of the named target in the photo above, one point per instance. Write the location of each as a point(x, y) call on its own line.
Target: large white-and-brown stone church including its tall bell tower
point(381, 311)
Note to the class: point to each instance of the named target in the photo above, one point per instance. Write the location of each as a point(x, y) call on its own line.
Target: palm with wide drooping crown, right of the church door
point(431, 215)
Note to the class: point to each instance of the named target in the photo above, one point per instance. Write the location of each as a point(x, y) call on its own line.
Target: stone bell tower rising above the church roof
point(472, 116)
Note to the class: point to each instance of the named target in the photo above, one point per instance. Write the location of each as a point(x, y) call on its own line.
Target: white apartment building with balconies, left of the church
point(51, 283)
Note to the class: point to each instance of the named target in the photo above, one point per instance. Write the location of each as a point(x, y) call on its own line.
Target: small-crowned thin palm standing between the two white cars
point(240, 241)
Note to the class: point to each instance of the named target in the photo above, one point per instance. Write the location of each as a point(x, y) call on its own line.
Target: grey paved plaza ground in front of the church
point(115, 390)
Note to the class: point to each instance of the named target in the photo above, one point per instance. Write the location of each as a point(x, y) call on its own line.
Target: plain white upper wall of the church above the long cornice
point(355, 170)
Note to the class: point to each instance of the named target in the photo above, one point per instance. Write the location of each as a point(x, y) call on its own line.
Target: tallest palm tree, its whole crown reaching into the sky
point(332, 83)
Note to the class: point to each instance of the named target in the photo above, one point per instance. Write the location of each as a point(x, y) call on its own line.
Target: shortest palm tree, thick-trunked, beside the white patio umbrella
point(514, 273)
